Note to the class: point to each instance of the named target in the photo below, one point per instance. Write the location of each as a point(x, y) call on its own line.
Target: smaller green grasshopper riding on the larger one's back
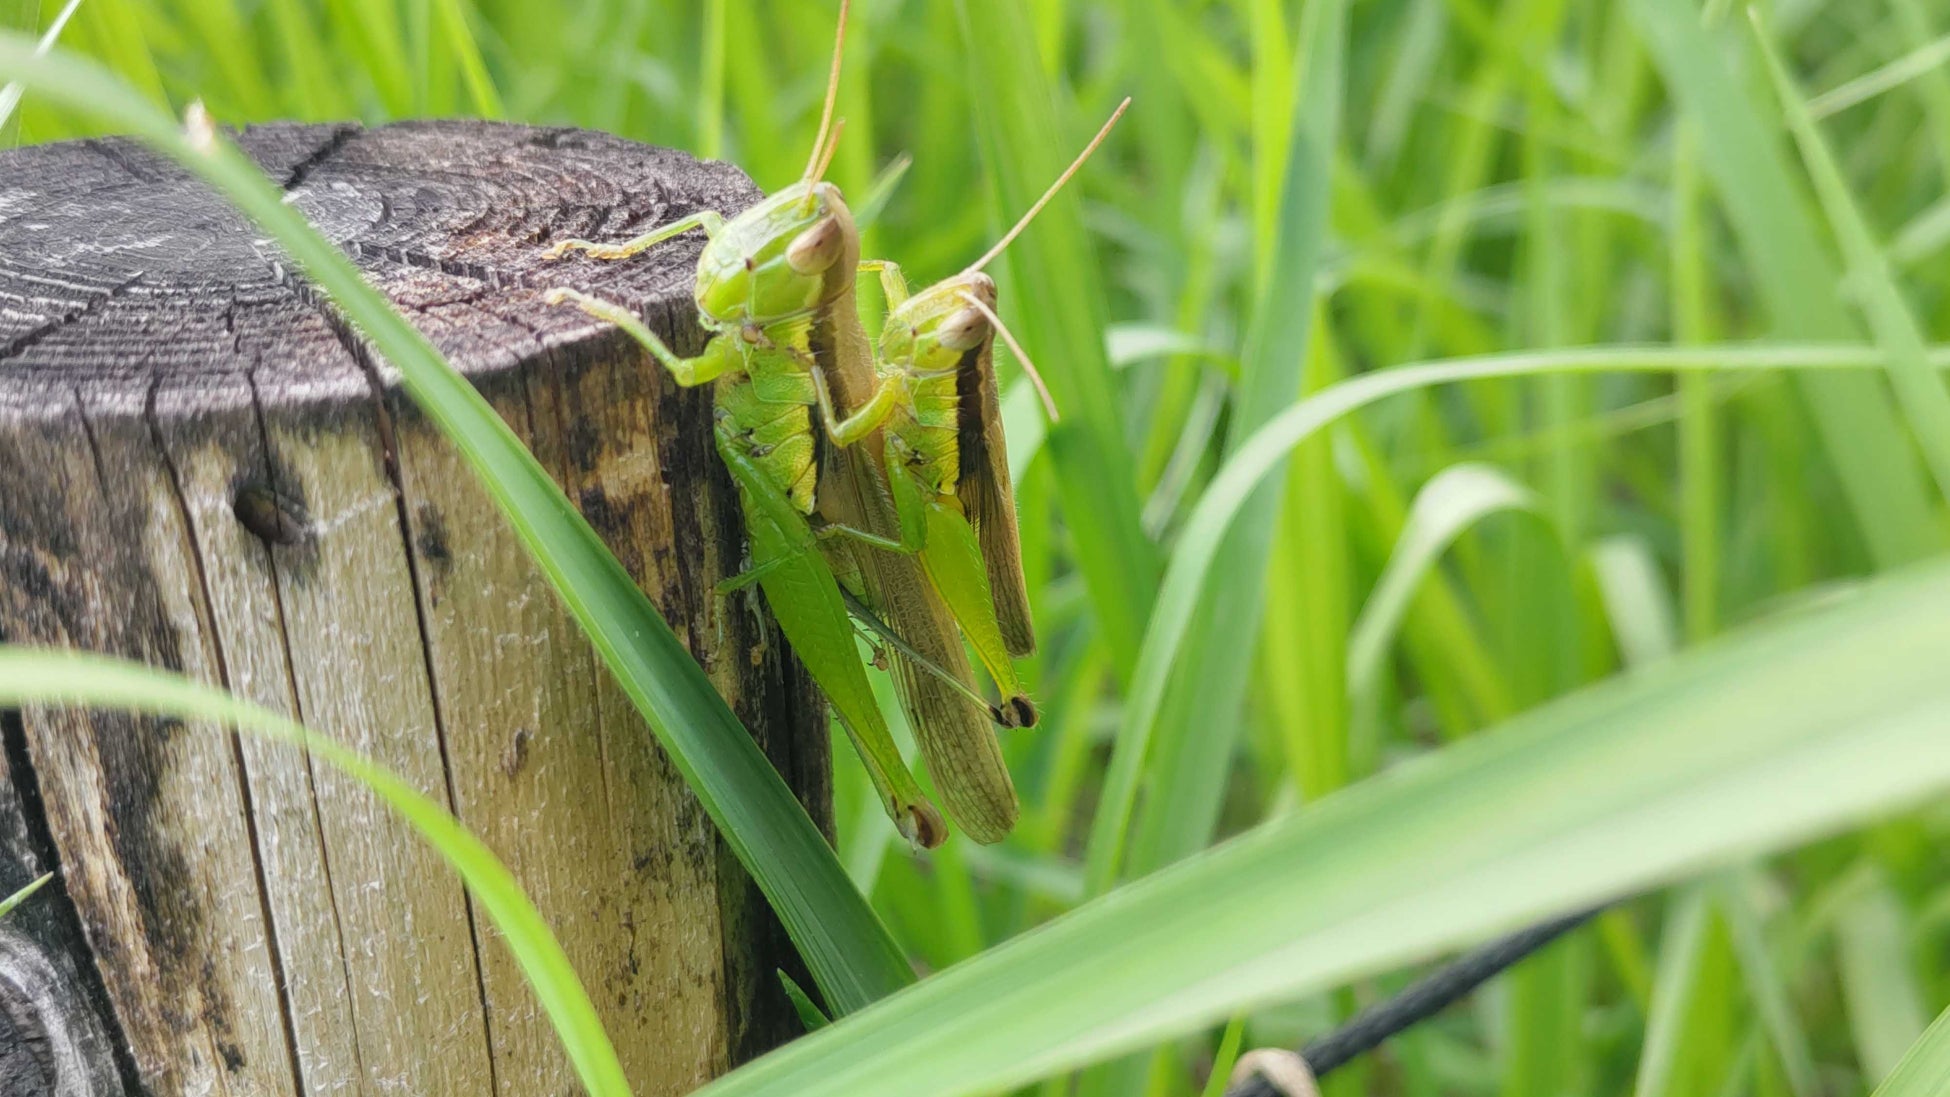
point(945, 451)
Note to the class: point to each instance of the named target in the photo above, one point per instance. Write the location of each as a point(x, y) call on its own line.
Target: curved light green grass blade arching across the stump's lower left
point(69, 679)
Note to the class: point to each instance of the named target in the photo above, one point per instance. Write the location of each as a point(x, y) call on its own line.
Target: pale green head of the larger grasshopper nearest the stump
point(773, 262)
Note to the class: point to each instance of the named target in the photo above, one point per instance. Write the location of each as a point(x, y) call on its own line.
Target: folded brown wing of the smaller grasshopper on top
point(988, 496)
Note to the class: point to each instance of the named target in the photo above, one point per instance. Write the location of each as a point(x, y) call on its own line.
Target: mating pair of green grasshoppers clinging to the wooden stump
point(896, 496)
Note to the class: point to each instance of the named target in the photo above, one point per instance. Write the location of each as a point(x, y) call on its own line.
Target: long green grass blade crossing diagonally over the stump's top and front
point(849, 952)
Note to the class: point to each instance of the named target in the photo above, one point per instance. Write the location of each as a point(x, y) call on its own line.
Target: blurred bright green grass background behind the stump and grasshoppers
point(1495, 176)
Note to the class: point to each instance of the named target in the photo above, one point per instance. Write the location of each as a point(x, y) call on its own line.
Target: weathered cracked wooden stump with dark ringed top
point(206, 471)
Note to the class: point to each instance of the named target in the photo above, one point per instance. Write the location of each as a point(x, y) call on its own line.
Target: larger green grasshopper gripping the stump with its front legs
point(777, 293)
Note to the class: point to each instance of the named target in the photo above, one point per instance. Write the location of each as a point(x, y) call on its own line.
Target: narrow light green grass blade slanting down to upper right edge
point(1920, 391)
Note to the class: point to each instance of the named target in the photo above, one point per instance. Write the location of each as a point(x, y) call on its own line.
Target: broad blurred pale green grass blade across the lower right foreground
point(1793, 732)
